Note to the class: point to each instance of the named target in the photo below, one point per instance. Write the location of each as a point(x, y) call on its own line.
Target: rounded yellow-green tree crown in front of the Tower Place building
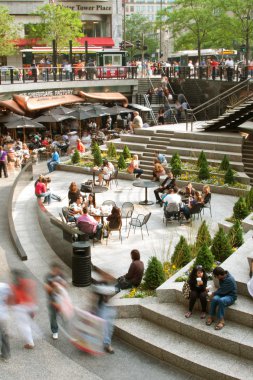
point(58, 23)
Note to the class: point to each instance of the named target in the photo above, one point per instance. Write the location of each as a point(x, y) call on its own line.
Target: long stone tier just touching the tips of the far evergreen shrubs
point(194, 152)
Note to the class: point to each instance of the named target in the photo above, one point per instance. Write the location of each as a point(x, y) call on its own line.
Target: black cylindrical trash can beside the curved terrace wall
point(81, 264)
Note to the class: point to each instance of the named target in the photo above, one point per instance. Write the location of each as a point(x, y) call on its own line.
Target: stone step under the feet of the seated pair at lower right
point(235, 338)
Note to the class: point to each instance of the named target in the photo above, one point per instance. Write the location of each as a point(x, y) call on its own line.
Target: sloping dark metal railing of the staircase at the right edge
point(221, 101)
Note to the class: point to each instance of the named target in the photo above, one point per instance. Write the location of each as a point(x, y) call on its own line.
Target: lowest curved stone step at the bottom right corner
point(181, 351)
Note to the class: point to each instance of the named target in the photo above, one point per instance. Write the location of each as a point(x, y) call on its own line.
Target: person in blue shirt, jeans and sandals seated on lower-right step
point(223, 297)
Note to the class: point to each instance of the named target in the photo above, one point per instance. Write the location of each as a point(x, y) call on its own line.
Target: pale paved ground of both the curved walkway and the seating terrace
point(51, 359)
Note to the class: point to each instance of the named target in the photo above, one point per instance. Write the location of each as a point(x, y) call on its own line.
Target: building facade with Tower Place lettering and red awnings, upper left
point(100, 18)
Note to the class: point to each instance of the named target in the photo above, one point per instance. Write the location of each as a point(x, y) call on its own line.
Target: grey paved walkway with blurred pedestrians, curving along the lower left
point(51, 359)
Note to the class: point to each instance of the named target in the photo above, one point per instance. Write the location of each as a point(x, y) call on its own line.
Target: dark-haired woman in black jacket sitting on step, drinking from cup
point(197, 281)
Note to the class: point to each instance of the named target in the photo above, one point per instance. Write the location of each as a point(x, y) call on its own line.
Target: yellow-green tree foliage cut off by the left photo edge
point(9, 31)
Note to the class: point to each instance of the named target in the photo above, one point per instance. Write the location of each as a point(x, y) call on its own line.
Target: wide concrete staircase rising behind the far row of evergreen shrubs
point(188, 144)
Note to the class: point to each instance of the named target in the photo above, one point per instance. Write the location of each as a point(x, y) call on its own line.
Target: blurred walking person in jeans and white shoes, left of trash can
point(55, 275)
